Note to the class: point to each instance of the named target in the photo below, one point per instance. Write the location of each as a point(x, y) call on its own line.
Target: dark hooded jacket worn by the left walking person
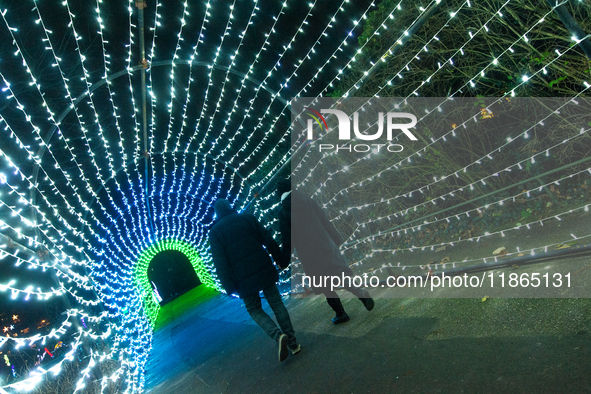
point(236, 242)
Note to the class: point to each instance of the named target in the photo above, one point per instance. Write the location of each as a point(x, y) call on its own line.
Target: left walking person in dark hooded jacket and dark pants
point(244, 267)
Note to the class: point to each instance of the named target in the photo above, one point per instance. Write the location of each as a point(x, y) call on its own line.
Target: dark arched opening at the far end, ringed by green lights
point(171, 274)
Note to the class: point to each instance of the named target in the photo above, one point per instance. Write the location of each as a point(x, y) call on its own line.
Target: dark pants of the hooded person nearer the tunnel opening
point(255, 310)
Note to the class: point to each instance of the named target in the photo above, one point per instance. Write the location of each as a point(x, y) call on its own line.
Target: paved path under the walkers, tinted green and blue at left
point(205, 342)
